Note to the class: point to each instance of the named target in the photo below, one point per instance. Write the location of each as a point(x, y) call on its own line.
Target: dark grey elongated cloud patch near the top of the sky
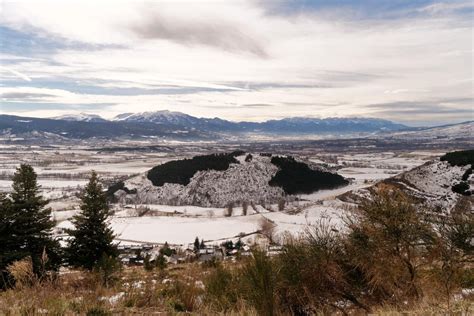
point(210, 33)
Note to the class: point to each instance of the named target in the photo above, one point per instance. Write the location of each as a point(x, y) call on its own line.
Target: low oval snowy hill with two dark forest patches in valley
point(224, 179)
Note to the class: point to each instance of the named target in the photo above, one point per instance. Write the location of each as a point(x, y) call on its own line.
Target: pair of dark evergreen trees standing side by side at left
point(26, 230)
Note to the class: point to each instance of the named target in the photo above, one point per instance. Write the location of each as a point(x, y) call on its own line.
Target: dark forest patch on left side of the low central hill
point(181, 171)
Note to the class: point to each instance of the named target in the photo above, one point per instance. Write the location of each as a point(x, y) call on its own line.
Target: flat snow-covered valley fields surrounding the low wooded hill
point(63, 171)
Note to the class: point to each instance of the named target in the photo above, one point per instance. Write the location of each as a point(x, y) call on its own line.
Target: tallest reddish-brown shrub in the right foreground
point(390, 243)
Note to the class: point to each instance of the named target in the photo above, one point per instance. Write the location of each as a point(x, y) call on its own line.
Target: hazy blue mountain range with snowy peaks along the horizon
point(177, 125)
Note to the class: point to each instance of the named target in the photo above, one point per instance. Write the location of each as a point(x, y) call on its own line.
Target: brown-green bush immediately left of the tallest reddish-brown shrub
point(316, 275)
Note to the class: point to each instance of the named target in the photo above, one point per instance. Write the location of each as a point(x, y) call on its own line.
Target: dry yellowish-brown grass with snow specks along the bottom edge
point(178, 290)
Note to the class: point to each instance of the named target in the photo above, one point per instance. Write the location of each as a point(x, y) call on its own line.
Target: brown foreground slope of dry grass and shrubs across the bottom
point(389, 260)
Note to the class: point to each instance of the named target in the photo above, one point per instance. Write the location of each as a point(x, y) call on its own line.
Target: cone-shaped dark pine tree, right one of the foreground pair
point(92, 238)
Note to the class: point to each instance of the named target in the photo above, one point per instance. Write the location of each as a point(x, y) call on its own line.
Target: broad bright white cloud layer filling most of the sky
point(234, 53)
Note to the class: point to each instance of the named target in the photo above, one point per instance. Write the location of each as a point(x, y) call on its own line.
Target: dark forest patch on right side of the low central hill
point(297, 177)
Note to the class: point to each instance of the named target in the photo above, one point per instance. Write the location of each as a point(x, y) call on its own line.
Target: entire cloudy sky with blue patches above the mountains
point(409, 61)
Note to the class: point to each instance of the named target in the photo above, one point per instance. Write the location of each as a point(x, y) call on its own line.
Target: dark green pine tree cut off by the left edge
point(26, 224)
